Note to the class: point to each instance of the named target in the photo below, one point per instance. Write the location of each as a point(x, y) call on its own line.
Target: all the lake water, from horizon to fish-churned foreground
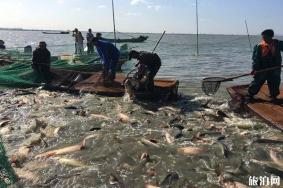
point(228, 144)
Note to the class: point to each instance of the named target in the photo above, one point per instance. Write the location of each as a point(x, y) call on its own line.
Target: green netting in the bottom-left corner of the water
point(7, 174)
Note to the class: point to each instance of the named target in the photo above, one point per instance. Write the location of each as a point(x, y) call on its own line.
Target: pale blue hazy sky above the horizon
point(152, 16)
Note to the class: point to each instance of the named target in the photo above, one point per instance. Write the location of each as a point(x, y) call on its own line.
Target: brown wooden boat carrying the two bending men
point(92, 82)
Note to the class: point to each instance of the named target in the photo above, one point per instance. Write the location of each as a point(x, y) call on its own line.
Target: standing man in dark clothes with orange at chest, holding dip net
point(266, 55)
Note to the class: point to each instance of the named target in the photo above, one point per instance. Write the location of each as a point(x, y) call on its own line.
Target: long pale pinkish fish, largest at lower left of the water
point(65, 150)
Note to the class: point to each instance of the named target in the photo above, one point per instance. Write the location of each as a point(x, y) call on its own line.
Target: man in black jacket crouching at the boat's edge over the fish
point(148, 66)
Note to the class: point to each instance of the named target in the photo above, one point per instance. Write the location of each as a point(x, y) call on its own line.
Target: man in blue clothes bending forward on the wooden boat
point(109, 55)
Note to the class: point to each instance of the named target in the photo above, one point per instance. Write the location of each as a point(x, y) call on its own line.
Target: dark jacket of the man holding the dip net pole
point(270, 60)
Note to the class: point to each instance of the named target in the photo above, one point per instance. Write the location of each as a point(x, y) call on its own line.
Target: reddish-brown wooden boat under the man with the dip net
point(271, 112)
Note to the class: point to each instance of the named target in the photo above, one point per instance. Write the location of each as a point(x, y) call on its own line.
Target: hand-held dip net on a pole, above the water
point(211, 85)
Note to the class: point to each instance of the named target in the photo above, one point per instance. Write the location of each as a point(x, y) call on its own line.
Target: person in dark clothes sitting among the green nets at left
point(41, 60)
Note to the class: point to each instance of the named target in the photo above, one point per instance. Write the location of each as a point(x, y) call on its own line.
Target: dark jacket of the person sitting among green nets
point(41, 58)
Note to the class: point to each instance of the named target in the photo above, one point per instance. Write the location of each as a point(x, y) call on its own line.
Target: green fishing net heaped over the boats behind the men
point(20, 74)
